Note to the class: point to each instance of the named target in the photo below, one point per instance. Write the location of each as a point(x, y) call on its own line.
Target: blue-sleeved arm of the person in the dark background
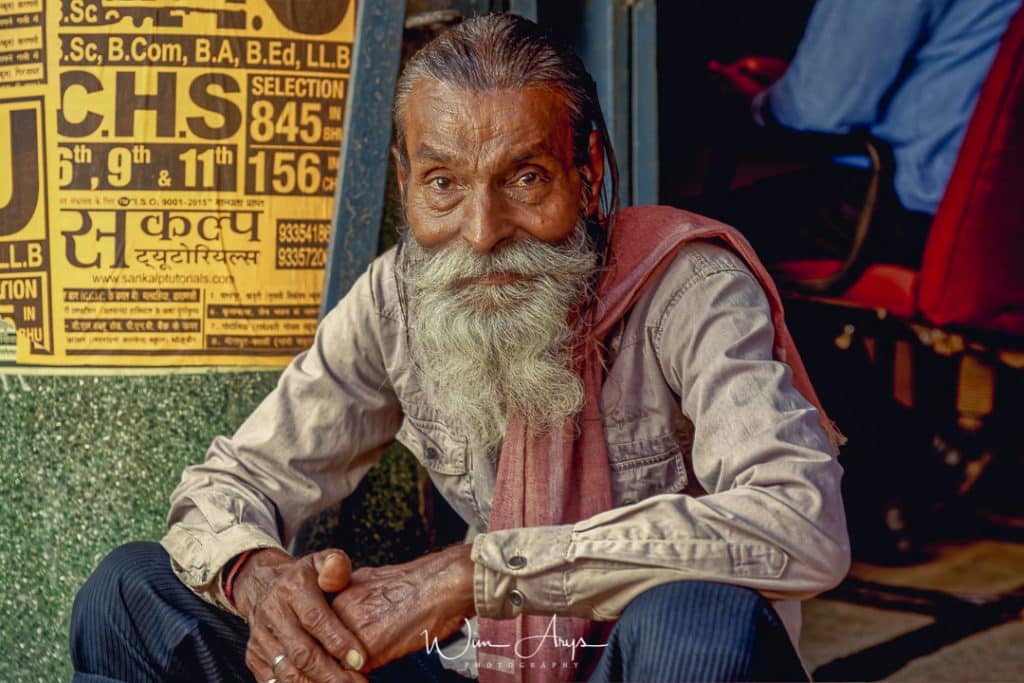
point(851, 57)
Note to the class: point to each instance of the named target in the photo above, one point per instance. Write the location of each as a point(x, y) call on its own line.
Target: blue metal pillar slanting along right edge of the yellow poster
point(359, 200)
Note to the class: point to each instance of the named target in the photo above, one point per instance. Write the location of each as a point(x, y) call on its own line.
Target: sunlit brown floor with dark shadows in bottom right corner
point(959, 617)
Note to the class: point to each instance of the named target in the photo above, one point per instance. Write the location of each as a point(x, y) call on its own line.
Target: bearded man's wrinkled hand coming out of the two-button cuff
point(391, 608)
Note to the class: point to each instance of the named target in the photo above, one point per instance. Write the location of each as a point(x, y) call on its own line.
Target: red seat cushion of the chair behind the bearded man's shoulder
point(881, 286)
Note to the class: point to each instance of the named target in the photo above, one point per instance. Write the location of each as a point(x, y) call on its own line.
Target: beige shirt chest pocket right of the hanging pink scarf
point(645, 468)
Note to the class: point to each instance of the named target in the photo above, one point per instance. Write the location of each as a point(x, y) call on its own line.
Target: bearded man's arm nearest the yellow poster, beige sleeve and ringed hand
point(306, 447)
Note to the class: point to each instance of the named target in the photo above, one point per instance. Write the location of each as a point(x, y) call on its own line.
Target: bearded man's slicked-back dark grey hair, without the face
point(509, 53)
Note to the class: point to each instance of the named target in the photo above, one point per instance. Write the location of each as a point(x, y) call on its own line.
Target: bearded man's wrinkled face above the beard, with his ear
point(491, 169)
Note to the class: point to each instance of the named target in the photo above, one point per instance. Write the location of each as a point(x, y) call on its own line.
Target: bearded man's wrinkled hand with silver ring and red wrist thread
point(284, 602)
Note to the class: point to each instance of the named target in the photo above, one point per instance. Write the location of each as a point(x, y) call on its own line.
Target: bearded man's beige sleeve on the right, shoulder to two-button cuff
point(773, 520)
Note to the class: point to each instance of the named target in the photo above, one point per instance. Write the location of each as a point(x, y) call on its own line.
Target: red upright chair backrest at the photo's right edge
point(973, 269)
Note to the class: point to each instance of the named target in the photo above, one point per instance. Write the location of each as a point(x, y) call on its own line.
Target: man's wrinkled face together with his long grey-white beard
point(501, 254)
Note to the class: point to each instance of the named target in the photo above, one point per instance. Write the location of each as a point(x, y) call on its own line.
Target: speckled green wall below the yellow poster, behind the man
point(88, 463)
